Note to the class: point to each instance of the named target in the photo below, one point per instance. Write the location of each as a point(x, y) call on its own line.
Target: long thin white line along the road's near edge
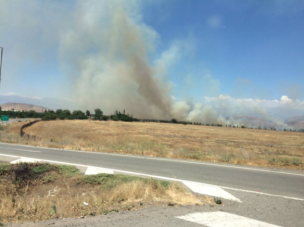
point(163, 178)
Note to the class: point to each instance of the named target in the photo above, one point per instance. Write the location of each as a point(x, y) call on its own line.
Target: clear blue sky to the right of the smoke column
point(257, 45)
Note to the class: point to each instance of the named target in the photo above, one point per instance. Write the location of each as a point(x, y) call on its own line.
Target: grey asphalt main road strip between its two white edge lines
point(277, 182)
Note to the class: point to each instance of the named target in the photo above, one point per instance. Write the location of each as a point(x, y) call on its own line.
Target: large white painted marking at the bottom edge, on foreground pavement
point(220, 219)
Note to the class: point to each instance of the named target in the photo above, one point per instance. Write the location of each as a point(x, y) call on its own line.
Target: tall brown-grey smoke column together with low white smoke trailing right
point(107, 53)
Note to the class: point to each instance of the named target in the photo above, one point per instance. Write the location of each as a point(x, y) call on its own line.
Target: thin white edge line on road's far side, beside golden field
point(168, 160)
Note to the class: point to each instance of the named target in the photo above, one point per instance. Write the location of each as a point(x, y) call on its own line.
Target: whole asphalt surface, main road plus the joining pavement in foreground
point(255, 210)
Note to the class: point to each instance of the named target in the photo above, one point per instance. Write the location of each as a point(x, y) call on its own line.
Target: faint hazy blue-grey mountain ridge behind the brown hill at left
point(48, 103)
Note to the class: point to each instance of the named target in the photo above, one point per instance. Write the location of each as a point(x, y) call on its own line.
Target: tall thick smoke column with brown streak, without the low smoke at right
point(107, 51)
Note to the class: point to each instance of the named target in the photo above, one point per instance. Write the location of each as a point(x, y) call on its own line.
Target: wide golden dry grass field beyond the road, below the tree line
point(216, 144)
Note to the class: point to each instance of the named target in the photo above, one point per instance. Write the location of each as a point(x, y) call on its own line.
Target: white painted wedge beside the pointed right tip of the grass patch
point(210, 190)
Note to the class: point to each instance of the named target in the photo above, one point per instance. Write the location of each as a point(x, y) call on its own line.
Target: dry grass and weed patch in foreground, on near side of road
point(36, 191)
